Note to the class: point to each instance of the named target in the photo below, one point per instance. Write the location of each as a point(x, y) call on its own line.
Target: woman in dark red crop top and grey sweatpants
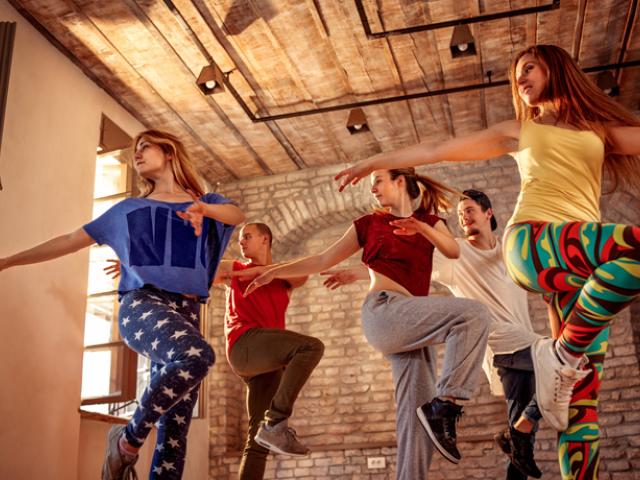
point(401, 320)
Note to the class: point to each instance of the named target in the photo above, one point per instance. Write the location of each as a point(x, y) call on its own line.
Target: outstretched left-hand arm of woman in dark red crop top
point(336, 253)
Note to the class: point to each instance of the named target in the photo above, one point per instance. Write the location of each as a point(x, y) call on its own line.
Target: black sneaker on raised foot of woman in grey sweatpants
point(439, 419)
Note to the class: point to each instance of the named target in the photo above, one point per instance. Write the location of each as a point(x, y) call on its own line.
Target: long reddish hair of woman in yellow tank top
point(580, 103)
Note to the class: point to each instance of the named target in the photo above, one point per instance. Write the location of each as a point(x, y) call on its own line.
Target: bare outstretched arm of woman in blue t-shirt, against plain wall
point(54, 248)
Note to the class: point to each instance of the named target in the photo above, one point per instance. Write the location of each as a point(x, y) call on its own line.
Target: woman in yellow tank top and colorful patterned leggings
point(566, 132)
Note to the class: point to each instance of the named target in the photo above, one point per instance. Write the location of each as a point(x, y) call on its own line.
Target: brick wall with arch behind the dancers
point(346, 411)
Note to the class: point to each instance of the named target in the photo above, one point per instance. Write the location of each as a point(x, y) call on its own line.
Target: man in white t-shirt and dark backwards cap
point(479, 273)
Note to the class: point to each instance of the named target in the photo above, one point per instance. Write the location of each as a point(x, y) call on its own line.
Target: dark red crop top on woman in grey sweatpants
point(405, 259)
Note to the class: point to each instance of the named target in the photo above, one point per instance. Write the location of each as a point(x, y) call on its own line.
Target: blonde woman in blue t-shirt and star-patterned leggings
point(169, 242)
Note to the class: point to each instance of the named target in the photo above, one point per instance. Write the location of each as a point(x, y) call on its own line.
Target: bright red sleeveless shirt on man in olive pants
point(264, 308)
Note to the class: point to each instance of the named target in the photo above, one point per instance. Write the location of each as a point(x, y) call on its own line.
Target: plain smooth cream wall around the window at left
point(47, 166)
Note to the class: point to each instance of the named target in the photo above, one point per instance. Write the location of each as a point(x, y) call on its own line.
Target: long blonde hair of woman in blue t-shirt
point(183, 170)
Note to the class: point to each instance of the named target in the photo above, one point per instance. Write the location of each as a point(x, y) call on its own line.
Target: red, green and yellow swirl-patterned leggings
point(588, 272)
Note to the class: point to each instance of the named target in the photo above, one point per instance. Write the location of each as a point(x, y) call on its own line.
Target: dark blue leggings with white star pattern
point(164, 327)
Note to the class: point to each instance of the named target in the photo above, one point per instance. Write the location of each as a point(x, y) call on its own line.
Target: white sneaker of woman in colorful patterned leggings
point(554, 383)
